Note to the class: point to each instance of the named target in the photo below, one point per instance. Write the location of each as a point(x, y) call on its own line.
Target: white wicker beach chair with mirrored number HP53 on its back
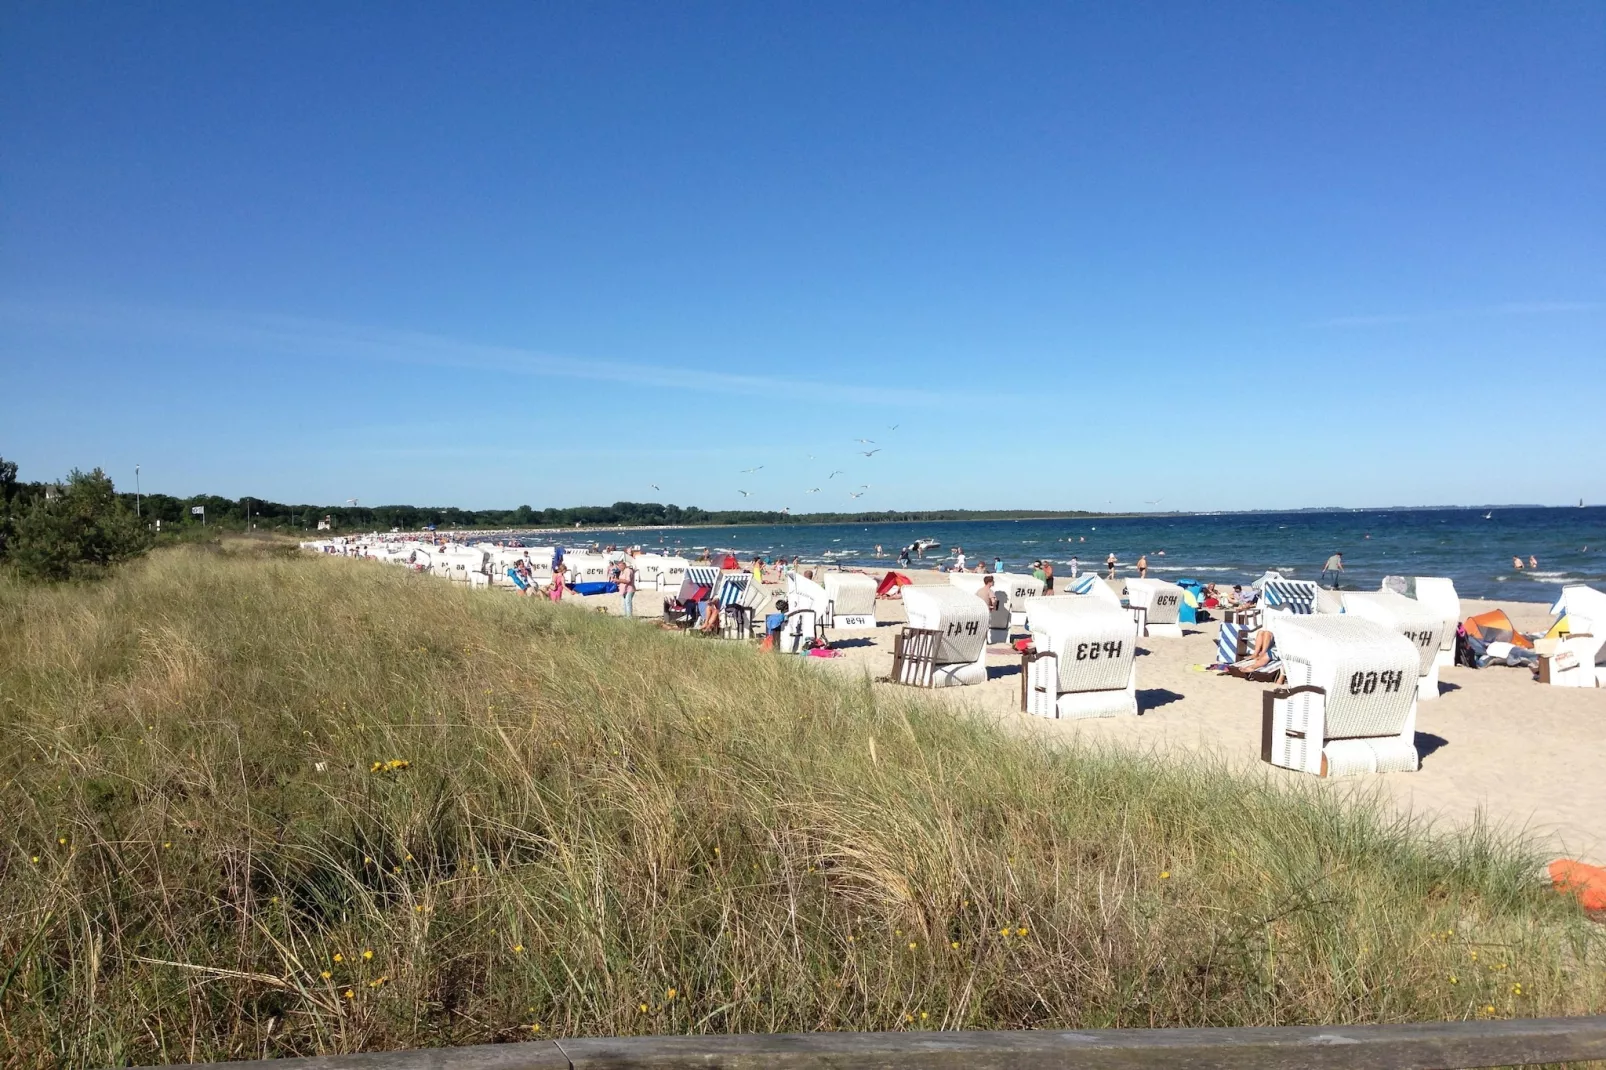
point(1085, 661)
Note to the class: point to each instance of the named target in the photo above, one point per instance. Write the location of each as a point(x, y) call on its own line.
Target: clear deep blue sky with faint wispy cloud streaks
point(1082, 256)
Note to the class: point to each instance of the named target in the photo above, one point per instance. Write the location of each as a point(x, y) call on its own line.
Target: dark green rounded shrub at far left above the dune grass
point(76, 534)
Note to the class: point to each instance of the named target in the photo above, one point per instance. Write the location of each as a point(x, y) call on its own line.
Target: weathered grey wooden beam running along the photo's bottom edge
point(1432, 1047)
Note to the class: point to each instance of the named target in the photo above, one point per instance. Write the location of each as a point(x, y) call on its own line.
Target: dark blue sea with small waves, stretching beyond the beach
point(1472, 547)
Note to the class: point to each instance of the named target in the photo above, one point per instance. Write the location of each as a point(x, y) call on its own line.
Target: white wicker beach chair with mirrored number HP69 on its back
point(1350, 704)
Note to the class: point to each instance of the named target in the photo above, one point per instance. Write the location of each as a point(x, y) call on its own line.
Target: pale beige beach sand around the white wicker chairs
point(1496, 745)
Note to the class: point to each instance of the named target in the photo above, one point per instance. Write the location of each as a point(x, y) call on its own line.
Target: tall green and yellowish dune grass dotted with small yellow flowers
point(267, 806)
